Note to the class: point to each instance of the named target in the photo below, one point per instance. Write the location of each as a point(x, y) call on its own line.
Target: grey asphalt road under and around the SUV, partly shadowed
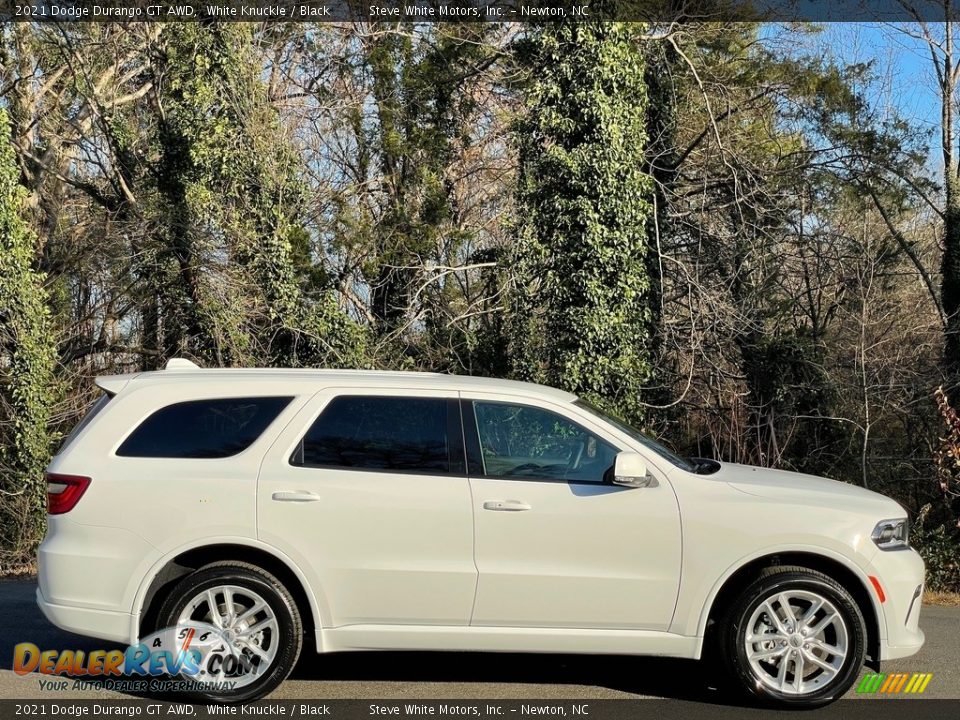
point(465, 675)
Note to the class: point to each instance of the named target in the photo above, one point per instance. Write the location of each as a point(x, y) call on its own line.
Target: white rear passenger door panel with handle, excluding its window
point(384, 547)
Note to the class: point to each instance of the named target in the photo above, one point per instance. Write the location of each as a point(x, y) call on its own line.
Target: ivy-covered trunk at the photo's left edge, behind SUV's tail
point(27, 359)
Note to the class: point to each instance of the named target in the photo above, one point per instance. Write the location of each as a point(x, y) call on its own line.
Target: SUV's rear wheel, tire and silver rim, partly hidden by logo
point(256, 622)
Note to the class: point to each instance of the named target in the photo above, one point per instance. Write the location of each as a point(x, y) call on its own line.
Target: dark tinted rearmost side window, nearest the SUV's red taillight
point(203, 428)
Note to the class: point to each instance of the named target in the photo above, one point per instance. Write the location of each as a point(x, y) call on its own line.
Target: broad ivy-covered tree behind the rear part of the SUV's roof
point(231, 198)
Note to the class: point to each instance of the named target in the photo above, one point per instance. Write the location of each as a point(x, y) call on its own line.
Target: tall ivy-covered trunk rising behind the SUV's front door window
point(584, 205)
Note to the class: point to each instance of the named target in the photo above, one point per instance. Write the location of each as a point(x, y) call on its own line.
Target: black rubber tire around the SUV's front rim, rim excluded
point(852, 617)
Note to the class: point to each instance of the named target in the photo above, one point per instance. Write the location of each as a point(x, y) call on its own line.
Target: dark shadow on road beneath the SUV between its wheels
point(657, 677)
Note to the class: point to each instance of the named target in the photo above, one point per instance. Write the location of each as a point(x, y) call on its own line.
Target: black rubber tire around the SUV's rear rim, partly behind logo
point(290, 629)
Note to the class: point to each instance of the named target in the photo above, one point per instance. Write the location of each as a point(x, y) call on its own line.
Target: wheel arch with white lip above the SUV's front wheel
point(844, 573)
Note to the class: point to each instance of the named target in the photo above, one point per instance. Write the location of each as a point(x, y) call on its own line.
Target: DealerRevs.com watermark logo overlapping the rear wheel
point(201, 656)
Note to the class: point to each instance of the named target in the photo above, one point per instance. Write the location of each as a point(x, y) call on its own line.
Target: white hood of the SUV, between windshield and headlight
point(806, 489)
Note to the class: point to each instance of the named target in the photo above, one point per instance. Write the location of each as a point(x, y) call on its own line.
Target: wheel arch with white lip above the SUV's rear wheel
point(165, 574)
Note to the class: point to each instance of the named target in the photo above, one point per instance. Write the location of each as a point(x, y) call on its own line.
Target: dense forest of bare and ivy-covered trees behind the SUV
point(715, 231)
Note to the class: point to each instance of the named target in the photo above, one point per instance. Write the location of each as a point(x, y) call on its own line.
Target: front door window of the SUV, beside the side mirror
point(522, 441)
